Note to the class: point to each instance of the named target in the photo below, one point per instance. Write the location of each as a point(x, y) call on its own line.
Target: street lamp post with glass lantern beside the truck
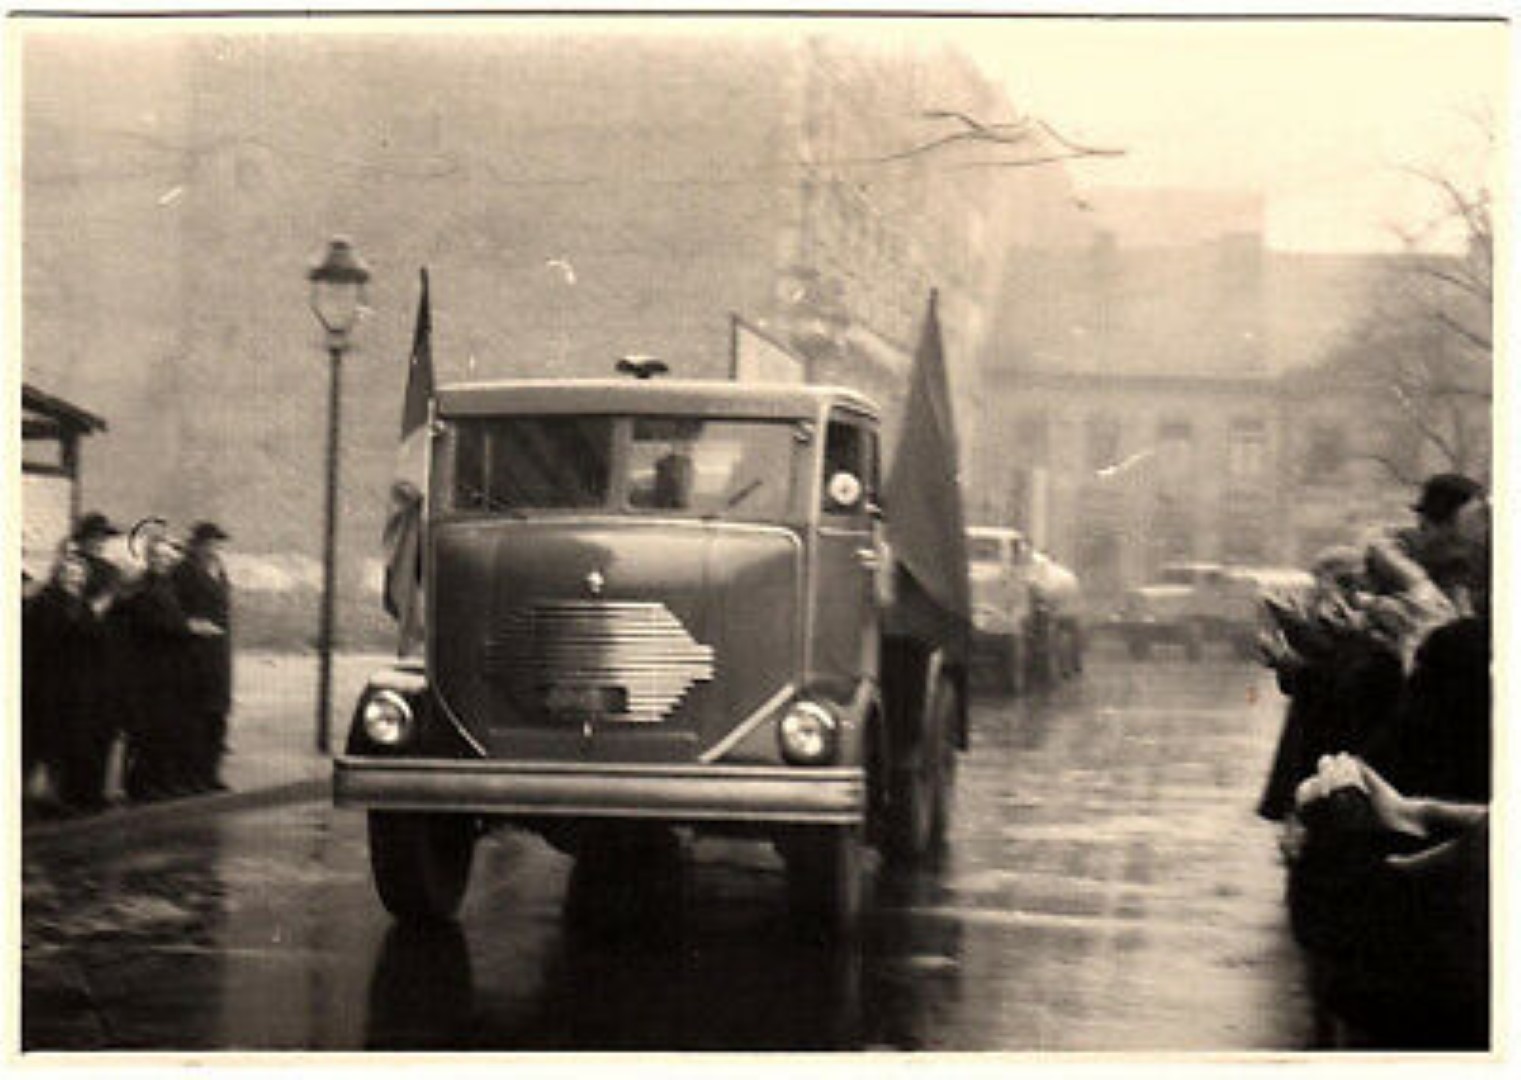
point(338, 297)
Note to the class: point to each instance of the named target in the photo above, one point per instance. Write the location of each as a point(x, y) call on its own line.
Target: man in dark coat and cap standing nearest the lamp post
point(202, 585)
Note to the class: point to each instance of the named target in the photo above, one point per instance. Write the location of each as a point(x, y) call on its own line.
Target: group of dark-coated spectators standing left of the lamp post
point(130, 653)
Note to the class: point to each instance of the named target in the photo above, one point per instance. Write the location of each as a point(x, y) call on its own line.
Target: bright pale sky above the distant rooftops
point(1323, 118)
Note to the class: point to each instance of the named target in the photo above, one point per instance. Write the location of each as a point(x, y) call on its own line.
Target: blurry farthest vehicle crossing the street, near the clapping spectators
point(1196, 603)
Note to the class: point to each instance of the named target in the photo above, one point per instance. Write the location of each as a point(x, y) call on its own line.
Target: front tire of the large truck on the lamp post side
point(422, 863)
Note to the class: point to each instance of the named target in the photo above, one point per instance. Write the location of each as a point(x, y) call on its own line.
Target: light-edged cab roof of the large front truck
point(653, 398)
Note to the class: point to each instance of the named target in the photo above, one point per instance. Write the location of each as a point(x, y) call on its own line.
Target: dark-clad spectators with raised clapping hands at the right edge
point(1382, 778)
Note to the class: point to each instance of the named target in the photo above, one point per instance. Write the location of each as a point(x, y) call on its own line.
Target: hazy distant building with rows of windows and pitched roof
point(1170, 390)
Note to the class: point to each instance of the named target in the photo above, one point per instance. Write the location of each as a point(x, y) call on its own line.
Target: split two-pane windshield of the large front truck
point(700, 468)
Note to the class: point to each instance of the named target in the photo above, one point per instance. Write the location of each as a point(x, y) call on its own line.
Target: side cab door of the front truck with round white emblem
point(848, 556)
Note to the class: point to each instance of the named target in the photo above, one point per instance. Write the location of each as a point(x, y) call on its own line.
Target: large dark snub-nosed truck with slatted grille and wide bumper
point(673, 606)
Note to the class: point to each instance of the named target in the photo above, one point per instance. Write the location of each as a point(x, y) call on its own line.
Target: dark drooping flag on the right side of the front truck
point(924, 492)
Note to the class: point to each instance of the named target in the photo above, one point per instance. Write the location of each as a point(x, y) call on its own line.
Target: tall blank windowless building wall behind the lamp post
point(574, 197)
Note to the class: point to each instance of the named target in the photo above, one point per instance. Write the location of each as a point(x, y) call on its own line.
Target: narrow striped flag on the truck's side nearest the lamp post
point(404, 526)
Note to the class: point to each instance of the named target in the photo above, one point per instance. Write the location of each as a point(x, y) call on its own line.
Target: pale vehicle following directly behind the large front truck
point(1026, 609)
